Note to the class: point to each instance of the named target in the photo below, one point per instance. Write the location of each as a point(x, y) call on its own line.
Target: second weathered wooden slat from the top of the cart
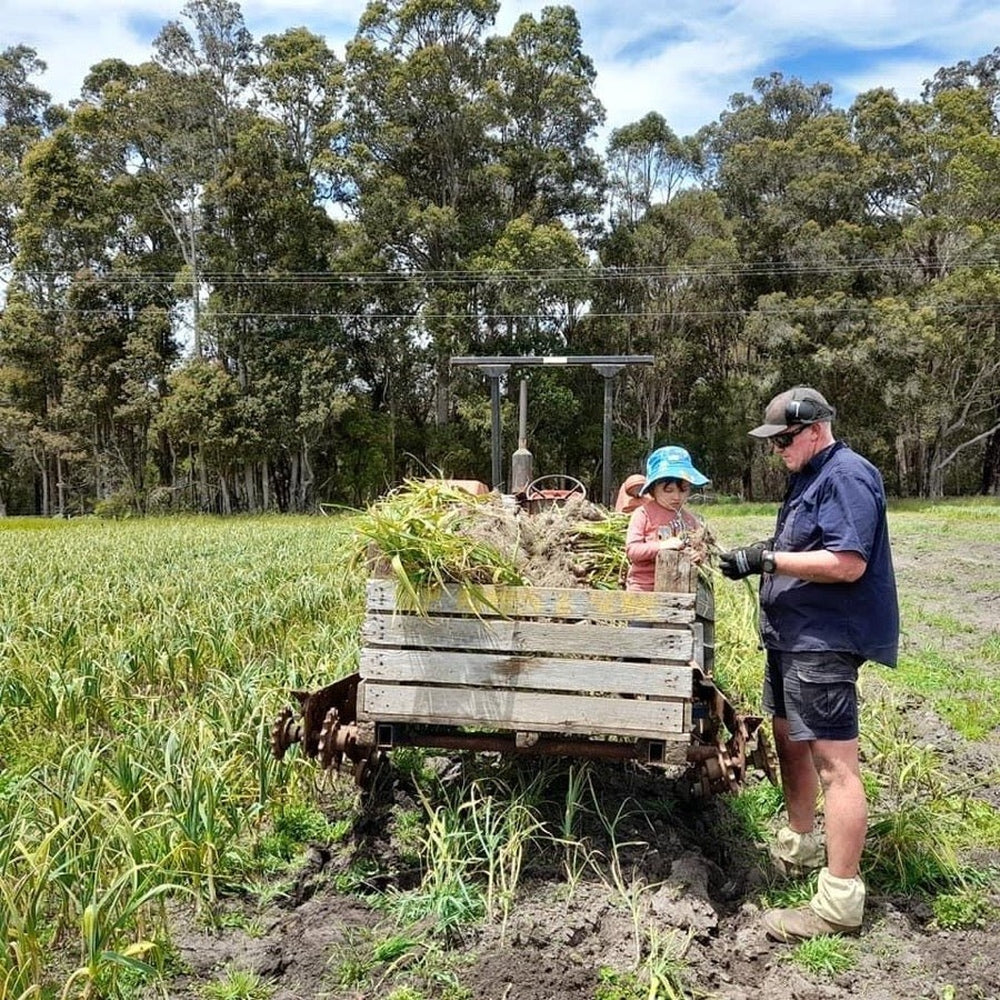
point(524, 636)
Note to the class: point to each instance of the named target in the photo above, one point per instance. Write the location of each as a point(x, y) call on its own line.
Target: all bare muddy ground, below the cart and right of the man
point(703, 883)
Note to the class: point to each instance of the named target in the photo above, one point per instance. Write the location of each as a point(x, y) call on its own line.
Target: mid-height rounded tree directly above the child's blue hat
point(670, 286)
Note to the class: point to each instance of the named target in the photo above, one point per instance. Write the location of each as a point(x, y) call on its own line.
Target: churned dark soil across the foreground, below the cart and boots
point(701, 885)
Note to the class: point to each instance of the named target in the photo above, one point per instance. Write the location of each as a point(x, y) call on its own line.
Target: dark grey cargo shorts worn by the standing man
point(816, 692)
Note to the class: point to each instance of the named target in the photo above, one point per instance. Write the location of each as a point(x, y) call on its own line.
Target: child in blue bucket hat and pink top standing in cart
point(663, 522)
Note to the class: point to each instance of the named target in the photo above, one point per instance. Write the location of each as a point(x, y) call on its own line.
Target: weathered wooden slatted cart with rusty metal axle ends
point(531, 670)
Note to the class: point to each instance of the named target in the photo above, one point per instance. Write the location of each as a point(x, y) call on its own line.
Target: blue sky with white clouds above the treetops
point(681, 58)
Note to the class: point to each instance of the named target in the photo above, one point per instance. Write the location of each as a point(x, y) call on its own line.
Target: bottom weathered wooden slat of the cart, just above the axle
point(521, 710)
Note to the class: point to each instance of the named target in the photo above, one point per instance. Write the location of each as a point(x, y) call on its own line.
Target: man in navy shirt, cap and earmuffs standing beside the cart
point(828, 603)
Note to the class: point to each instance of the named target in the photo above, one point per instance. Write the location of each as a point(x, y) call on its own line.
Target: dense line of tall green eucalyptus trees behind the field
point(235, 275)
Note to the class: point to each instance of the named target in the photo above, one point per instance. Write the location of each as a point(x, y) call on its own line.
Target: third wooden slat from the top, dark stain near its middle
point(536, 672)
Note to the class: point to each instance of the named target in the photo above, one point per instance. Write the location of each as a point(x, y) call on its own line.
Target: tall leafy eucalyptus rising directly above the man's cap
point(795, 183)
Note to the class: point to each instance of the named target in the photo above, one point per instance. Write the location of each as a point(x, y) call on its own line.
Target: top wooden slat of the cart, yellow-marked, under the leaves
point(543, 602)
